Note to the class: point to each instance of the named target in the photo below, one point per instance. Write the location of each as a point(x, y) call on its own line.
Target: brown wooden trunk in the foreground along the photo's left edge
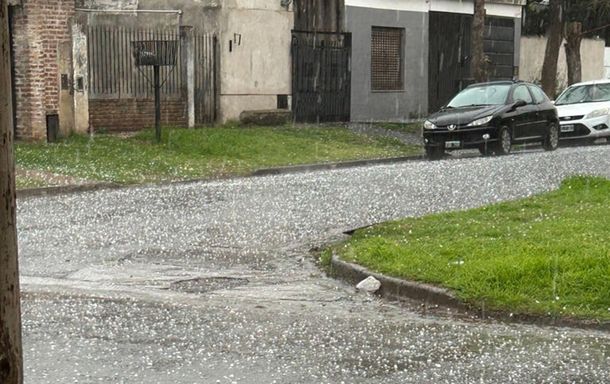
point(11, 360)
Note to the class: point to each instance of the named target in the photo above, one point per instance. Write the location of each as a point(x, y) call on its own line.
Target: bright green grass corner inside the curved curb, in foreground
point(544, 255)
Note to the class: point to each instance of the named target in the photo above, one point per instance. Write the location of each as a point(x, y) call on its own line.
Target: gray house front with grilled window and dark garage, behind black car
point(410, 56)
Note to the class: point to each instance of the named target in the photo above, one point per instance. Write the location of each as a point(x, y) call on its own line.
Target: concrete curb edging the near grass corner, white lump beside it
point(397, 289)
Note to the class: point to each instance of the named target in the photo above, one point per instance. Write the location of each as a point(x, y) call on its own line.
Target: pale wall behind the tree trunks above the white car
point(532, 57)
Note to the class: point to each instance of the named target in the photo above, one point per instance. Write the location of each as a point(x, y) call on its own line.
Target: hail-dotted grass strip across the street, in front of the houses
point(200, 153)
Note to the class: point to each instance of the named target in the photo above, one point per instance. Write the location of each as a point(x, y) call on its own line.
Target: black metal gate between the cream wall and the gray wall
point(321, 76)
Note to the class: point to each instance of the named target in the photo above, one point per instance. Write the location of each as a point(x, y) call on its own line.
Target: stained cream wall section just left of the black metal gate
point(256, 67)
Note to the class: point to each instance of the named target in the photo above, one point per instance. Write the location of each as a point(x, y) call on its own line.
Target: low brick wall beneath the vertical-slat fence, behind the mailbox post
point(134, 114)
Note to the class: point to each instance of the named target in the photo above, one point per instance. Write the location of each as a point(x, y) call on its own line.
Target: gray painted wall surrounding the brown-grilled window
point(412, 101)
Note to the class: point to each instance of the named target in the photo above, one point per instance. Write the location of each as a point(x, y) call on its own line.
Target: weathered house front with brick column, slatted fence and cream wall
point(73, 67)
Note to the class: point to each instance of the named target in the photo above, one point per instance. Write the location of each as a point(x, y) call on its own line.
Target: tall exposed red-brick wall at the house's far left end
point(39, 26)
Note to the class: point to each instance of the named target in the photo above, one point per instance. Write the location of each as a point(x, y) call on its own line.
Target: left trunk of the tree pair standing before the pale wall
point(551, 54)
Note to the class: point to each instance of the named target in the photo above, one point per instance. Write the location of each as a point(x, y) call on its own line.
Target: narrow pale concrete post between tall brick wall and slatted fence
point(80, 77)
